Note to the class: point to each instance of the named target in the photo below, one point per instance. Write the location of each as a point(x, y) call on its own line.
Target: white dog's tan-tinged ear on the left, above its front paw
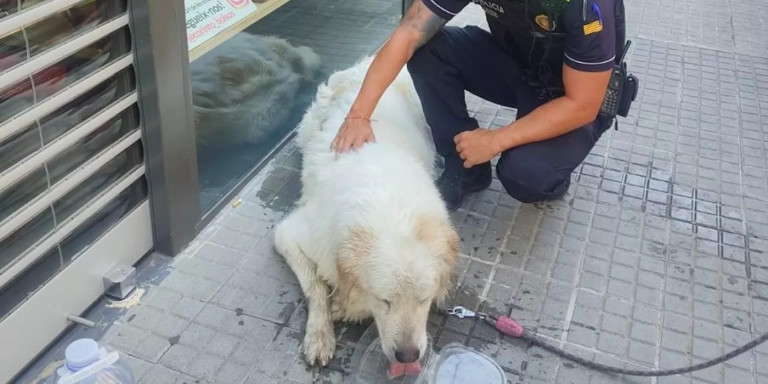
point(355, 248)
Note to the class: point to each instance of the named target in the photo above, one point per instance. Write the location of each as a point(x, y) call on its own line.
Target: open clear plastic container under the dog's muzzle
point(455, 364)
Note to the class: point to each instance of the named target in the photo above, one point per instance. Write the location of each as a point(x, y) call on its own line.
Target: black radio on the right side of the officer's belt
point(621, 92)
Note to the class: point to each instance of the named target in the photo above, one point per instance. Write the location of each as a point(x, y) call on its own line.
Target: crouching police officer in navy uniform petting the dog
point(549, 59)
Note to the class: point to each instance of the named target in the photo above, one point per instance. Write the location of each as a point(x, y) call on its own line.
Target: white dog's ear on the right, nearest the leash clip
point(442, 239)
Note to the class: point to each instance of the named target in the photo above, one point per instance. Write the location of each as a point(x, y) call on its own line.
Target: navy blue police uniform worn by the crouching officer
point(515, 65)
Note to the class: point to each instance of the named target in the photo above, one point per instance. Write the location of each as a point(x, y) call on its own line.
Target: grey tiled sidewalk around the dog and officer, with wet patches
point(656, 258)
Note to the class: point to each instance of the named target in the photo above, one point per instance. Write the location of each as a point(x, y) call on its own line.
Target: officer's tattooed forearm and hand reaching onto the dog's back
point(418, 26)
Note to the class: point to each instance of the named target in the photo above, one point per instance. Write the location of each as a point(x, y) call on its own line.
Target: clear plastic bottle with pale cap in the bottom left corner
point(88, 363)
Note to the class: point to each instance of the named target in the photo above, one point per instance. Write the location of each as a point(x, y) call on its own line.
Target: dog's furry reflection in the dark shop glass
point(244, 88)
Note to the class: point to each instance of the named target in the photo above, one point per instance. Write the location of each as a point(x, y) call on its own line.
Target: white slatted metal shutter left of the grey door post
point(71, 151)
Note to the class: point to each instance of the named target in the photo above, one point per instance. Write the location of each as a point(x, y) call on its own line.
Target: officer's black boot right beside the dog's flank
point(456, 181)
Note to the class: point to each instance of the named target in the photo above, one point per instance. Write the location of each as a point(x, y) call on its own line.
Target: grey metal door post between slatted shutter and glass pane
point(165, 96)
